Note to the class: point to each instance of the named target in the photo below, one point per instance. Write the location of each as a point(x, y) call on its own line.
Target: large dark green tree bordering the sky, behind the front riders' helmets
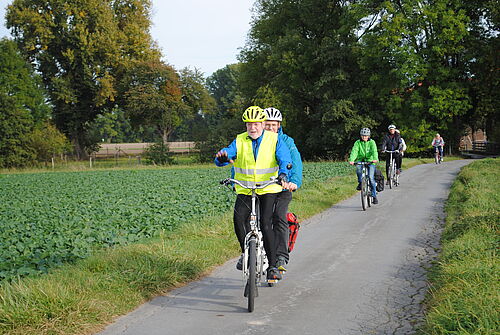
point(304, 53)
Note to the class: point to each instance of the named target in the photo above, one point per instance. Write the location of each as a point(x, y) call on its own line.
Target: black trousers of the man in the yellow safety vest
point(242, 209)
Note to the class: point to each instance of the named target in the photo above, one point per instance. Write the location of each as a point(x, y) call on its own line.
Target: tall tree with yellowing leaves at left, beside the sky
point(82, 49)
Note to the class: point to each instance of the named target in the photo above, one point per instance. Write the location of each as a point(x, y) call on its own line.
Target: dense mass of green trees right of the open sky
point(334, 66)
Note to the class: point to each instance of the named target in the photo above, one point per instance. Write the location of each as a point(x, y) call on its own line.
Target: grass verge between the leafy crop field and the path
point(82, 298)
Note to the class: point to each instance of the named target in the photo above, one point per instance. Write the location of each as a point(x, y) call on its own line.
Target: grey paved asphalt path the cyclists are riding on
point(351, 272)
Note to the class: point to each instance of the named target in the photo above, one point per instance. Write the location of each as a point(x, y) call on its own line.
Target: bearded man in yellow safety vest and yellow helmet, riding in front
point(257, 155)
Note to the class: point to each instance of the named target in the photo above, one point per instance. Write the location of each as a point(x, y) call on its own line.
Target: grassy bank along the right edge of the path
point(465, 292)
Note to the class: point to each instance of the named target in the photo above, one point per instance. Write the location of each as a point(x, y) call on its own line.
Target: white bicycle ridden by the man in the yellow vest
point(254, 254)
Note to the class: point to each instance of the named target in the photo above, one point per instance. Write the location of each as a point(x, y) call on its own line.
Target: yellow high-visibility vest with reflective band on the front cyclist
point(250, 172)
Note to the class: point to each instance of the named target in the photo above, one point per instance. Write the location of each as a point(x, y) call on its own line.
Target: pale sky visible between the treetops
point(202, 34)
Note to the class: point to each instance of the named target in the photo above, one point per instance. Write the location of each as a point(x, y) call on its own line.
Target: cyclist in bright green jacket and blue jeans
point(365, 150)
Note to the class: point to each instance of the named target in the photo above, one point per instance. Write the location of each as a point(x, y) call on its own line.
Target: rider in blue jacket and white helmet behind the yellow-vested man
point(280, 222)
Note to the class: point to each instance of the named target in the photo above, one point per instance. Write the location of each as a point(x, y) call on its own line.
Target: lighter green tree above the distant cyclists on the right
point(420, 46)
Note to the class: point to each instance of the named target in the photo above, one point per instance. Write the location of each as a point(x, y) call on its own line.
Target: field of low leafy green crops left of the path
point(47, 219)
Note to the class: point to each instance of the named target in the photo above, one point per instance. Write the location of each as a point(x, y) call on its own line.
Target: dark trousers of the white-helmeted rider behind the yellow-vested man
point(280, 224)
